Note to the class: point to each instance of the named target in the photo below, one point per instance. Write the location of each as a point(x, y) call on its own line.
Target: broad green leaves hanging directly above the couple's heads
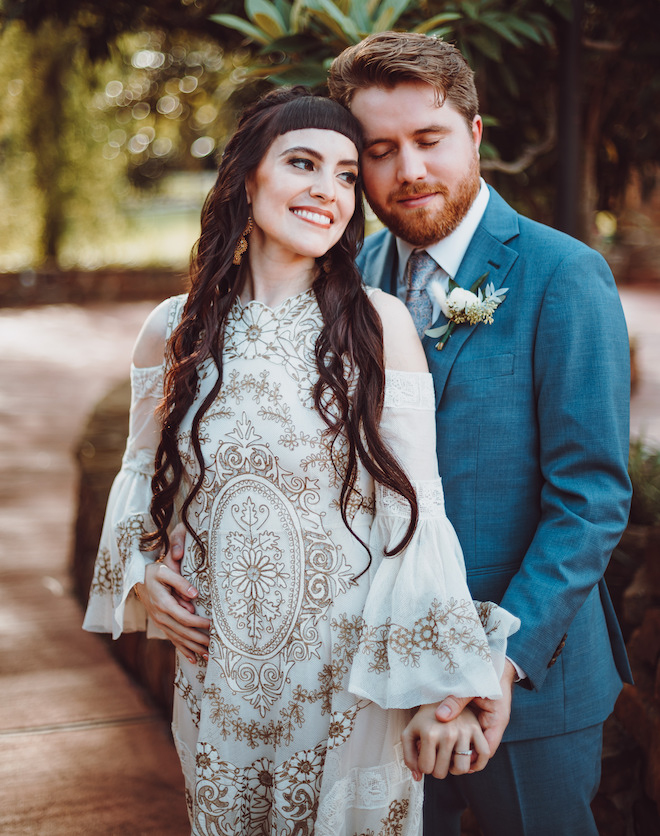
point(297, 39)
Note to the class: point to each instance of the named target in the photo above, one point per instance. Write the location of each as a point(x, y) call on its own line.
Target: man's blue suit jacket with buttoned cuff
point(532, 442)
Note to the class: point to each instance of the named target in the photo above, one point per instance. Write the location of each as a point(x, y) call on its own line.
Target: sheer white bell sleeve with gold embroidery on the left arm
point(113, 605)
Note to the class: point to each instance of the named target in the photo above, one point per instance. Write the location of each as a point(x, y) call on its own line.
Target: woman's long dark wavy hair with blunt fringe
point(351, 332)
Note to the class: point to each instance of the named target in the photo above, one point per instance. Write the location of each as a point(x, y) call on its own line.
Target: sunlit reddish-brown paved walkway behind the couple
point(82, 750)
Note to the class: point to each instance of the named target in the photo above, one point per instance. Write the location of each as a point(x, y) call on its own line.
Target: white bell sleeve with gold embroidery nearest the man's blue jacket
point(423, 637)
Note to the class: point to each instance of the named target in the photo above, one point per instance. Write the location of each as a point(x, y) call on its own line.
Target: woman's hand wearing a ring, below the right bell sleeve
point(434, 748)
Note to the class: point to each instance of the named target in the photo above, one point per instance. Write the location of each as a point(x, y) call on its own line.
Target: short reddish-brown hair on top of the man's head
point(389, 58)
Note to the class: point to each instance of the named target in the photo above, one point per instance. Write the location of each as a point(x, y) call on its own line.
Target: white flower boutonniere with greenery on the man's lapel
point(460, 305)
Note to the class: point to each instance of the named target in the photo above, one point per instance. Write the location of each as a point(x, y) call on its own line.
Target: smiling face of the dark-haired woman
point(302, 194)
